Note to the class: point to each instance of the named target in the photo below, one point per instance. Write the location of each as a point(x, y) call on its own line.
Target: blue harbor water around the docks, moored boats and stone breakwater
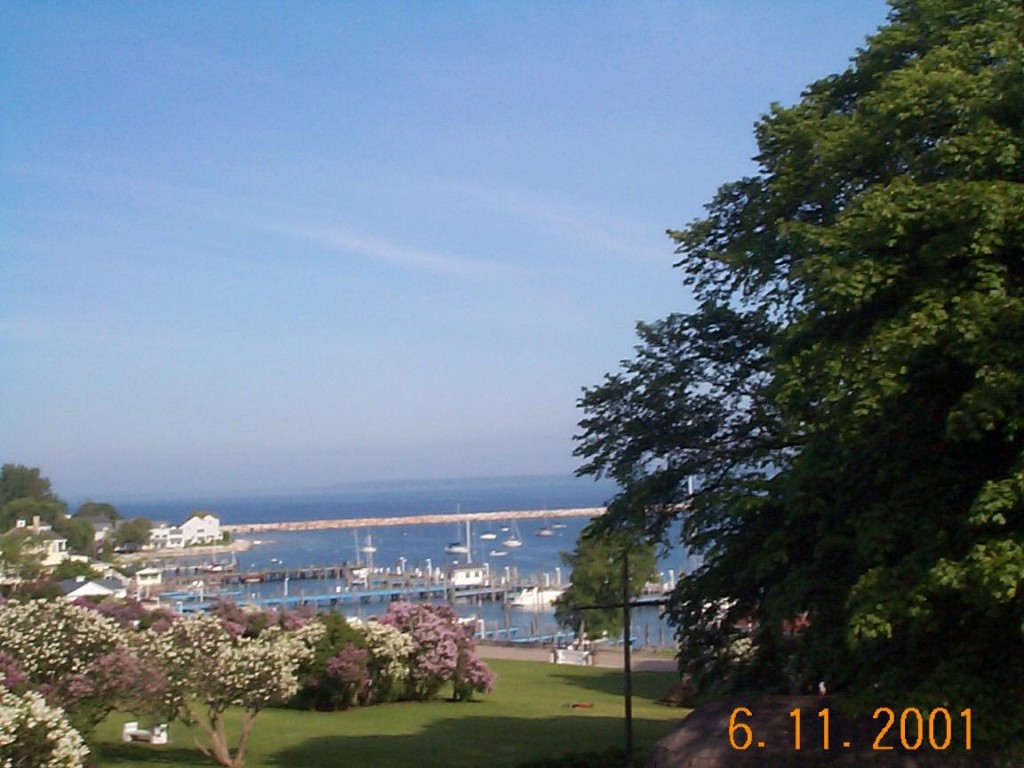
point(416, 550)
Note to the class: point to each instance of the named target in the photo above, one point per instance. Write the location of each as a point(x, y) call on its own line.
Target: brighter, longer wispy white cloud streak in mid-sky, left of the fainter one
point(378, 249)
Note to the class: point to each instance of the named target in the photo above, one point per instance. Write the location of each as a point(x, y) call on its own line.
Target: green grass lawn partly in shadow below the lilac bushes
point(527, 717)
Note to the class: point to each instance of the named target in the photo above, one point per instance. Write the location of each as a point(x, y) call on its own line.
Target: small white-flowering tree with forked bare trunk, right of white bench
point(210, 668)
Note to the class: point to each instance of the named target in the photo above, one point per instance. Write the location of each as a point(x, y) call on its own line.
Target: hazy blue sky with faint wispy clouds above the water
point(275, 246)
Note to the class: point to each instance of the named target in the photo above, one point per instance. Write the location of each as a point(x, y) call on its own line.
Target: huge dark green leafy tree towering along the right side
point(850, 394)
